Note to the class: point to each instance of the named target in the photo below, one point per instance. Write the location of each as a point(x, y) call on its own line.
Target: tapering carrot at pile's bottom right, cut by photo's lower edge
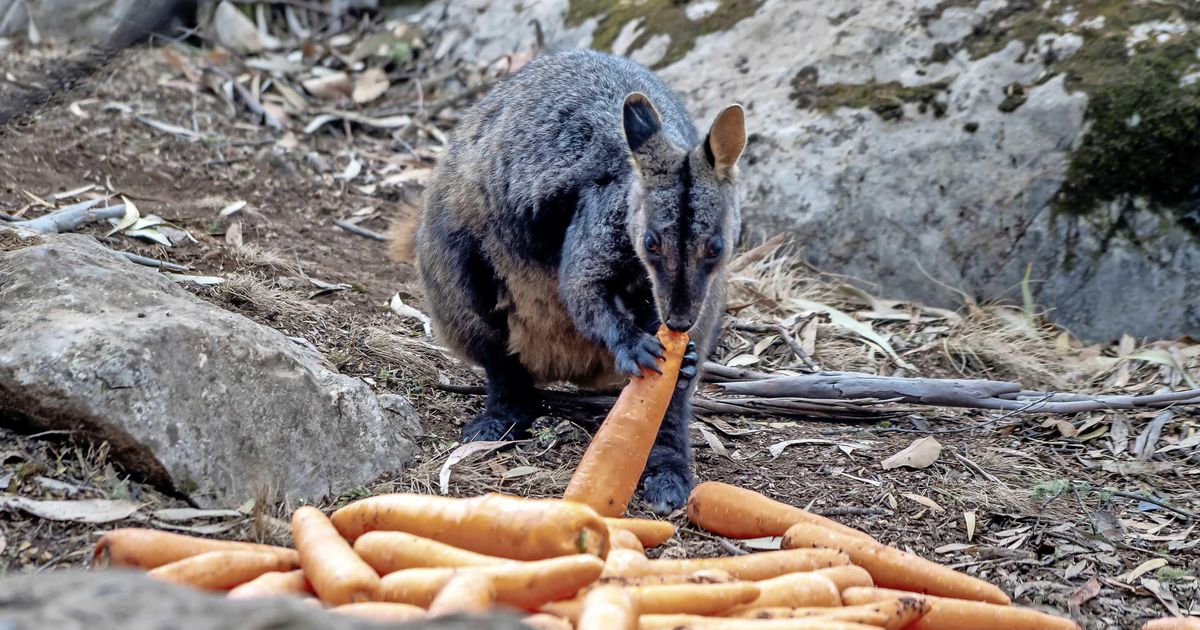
point(947, 614)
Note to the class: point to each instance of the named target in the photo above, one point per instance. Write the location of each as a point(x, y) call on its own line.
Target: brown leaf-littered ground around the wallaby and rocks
point(1047, 507)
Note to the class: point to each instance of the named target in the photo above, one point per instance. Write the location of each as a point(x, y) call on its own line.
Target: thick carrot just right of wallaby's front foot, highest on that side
point(740, 513)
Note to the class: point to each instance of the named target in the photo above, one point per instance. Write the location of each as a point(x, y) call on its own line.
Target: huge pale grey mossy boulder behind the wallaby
point(915, 145)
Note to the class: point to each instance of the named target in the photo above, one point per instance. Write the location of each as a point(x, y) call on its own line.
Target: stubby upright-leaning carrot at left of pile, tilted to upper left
point(337, 573)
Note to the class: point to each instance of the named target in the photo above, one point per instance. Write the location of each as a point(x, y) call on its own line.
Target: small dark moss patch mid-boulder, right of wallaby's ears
point(885, 99)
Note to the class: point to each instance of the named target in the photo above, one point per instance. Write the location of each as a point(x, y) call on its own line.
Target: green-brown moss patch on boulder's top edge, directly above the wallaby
point(659, 17)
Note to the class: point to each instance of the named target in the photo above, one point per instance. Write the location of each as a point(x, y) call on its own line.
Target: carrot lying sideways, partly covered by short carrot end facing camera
point(525, 585)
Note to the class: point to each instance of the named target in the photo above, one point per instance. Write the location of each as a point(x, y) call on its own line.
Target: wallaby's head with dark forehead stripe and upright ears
point(683, 208)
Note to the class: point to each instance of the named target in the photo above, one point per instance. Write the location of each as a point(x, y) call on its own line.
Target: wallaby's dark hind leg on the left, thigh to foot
point(464, 291)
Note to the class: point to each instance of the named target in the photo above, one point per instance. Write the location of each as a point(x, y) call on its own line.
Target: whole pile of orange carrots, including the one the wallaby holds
point(575, 563)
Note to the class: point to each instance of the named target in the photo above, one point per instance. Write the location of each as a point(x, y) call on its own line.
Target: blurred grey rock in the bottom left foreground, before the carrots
point(103, 601)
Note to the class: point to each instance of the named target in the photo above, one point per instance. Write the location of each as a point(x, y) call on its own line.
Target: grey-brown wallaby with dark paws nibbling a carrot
point(574, 211)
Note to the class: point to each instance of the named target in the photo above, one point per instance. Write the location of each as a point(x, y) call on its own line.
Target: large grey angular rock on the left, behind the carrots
point(189, 395)
